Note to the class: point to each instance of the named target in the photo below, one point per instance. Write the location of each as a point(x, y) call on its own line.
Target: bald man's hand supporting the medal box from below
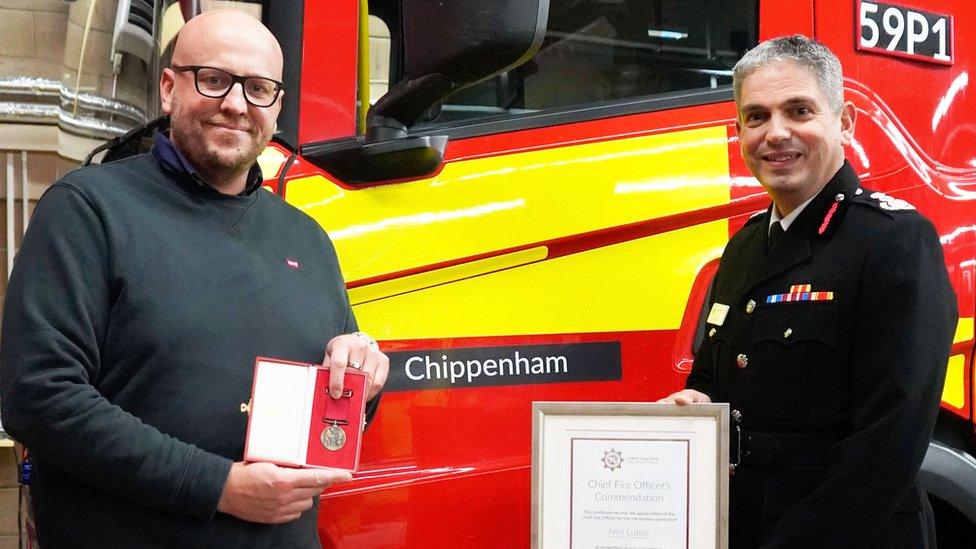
point(264, 492)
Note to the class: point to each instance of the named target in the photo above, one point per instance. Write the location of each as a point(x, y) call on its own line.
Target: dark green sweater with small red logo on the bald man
point(136, 308)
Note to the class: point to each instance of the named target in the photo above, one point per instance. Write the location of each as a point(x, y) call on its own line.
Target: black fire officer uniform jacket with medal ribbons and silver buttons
point(832, 345)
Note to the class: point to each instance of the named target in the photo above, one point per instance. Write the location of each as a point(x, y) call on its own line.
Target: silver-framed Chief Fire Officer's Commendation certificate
point(635, 475)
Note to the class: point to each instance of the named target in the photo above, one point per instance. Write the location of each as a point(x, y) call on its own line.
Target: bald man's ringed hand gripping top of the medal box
point(359, 351)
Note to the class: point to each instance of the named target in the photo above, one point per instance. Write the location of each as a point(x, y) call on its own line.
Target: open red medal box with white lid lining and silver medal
point(294, 421)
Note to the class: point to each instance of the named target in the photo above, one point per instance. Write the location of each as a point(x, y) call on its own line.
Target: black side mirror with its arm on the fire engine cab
point(468, 41)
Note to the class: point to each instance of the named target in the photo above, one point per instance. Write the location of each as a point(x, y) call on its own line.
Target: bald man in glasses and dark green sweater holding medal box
point(143, 292)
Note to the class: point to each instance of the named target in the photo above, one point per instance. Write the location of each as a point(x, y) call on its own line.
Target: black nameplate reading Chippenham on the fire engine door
point(508, 365)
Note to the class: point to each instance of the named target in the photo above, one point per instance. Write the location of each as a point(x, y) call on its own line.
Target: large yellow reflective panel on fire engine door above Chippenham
point(482, 205)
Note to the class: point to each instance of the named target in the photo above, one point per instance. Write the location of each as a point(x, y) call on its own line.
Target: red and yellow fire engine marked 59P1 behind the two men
point(534, 210)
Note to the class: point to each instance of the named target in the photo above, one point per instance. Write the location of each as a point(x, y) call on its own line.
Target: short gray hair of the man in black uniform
point(809, 54)
